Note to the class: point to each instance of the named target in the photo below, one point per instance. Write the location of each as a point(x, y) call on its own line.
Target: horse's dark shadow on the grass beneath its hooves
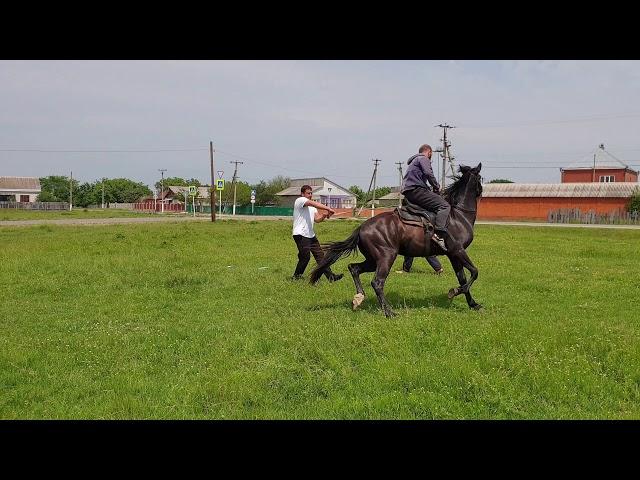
point(398, 302)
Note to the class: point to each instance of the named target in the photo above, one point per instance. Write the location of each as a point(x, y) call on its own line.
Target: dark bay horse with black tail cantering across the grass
point(381, 238)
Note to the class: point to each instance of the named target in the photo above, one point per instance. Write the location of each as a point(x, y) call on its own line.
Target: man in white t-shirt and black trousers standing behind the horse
point(305, 213)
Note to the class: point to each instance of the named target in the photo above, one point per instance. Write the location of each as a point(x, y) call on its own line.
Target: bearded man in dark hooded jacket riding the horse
point(416, 191)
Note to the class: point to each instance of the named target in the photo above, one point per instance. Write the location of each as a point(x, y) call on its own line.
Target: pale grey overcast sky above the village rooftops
point(522, 119)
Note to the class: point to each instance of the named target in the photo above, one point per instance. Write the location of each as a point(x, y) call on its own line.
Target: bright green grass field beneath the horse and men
point(200, 320)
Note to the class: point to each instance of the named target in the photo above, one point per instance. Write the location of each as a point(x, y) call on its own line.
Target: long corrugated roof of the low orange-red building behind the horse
point(574, 190)
